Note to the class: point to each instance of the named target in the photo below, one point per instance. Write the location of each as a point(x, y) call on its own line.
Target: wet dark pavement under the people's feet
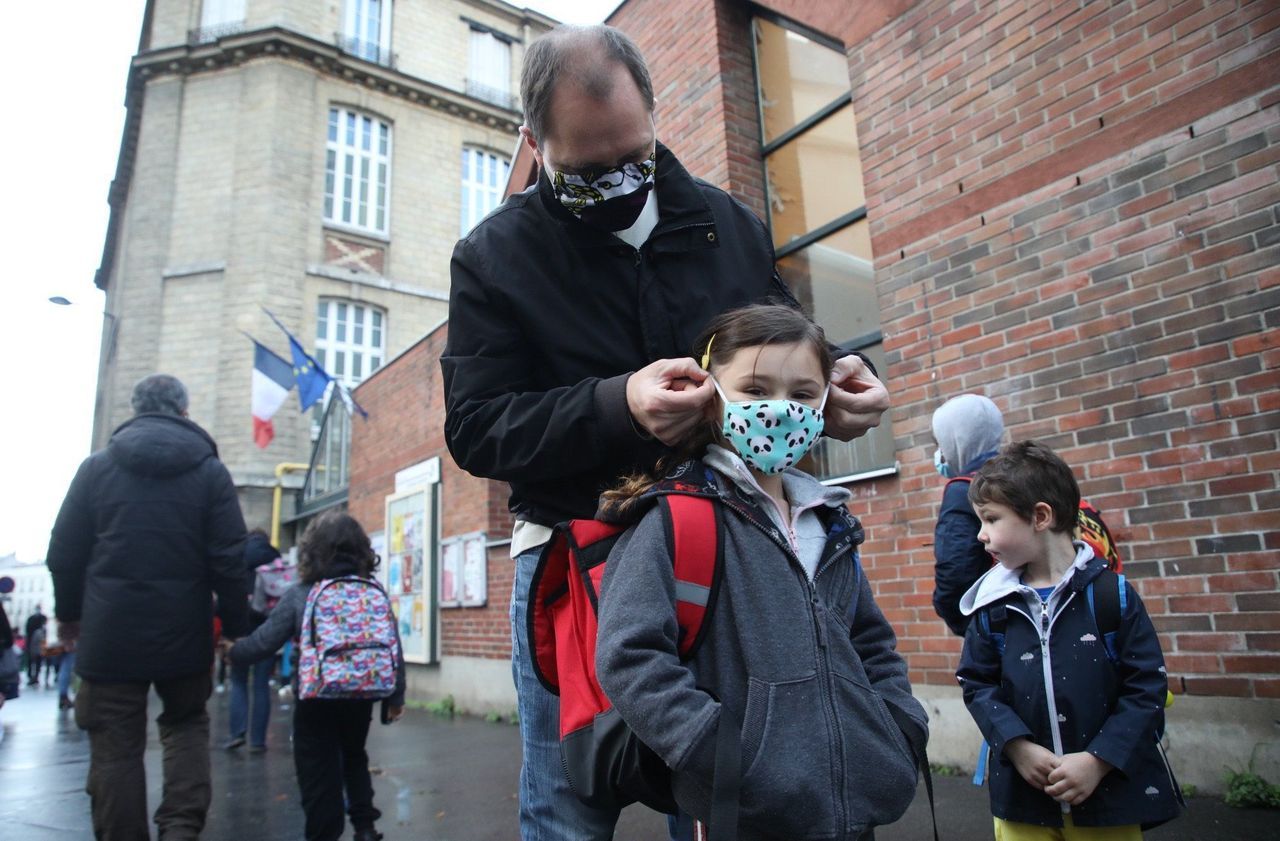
point(436, 780)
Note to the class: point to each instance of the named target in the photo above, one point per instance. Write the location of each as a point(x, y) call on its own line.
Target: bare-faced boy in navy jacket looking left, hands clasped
point(1075, 737)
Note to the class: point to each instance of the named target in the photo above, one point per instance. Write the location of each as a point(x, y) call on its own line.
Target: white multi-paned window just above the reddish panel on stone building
point(340, 156)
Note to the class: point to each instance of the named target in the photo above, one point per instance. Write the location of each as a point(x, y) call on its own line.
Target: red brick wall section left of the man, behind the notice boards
point(406, 426)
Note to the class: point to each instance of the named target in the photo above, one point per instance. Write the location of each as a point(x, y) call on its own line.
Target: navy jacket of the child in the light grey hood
point(959, 559)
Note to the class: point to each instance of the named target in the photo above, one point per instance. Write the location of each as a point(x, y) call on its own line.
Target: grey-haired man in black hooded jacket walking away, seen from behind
point(150, 531)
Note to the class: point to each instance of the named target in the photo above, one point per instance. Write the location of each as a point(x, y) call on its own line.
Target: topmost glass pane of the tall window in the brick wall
point(798, 77)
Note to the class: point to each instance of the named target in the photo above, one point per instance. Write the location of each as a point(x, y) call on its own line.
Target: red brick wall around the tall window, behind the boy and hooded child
point(1073, 212)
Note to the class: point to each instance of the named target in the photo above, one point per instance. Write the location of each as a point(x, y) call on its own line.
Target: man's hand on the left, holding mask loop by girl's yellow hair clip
point(668, 399)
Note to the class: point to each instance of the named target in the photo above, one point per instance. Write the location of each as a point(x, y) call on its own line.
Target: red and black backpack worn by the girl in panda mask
point(607, 766)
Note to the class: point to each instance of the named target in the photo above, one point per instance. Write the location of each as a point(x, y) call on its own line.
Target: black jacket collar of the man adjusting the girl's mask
point(682, 207)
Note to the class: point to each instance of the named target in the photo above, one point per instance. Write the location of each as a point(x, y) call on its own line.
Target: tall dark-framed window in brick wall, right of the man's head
point(817, 211)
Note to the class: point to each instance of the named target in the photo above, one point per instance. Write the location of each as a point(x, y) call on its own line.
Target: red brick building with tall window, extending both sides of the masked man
point(1066, 207)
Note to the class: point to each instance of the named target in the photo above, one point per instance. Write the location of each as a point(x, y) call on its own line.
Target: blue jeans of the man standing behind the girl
point(548, 808)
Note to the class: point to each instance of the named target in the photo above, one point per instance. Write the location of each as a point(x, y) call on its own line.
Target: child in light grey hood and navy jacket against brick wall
point(968, 431)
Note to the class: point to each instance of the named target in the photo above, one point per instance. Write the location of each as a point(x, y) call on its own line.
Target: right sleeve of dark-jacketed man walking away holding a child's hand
point(225, 550)
